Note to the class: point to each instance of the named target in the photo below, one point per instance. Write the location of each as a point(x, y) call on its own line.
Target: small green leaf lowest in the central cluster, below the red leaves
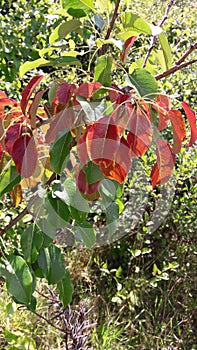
point(87, 234)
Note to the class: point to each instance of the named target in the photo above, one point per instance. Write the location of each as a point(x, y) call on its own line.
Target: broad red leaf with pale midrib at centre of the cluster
point(102, 140)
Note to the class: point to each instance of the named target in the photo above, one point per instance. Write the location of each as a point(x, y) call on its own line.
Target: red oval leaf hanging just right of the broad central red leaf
point(140, 132)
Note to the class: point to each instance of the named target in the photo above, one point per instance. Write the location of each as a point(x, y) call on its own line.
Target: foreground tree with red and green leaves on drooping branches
point(67, 147)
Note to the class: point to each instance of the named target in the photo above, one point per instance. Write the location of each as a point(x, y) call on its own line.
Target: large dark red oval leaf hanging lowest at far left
point(24, 155)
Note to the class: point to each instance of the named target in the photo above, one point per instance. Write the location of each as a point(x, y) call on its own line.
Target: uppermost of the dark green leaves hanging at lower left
point(31, 242)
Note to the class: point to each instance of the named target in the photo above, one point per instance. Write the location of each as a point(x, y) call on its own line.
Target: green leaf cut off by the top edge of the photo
point(77, 8)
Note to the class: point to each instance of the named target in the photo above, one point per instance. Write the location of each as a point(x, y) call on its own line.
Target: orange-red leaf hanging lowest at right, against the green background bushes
point(162, 170)
